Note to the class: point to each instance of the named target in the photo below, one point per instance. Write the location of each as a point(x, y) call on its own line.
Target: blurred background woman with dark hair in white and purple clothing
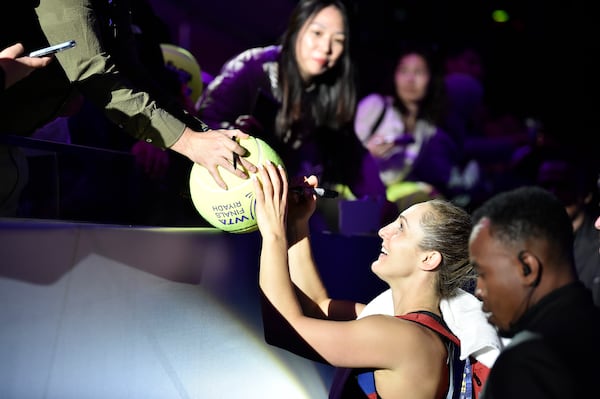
point(402, 130)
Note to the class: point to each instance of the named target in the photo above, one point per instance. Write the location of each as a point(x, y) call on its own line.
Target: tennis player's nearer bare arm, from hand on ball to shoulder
point(370, 338)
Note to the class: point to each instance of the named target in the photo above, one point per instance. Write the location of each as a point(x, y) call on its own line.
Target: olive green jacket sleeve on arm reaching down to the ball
point(93, 71)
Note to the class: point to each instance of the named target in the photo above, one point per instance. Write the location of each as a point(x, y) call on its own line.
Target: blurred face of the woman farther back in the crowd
point(412, 77)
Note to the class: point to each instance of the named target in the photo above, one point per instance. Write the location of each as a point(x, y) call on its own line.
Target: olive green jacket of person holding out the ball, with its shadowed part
point(87, 69)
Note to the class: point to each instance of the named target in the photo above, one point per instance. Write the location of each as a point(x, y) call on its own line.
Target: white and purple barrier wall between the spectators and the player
point(97, 311)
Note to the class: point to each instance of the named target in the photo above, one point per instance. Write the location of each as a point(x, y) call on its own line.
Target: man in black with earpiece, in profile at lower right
point(522, 248)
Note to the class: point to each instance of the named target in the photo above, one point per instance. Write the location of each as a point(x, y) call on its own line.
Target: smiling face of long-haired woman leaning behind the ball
point(320, 43)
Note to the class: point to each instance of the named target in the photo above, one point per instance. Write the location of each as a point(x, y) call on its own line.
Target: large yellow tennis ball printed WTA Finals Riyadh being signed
point(231, 210)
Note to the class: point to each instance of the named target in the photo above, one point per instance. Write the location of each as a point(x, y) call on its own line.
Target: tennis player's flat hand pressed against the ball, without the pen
point(271, 190)
